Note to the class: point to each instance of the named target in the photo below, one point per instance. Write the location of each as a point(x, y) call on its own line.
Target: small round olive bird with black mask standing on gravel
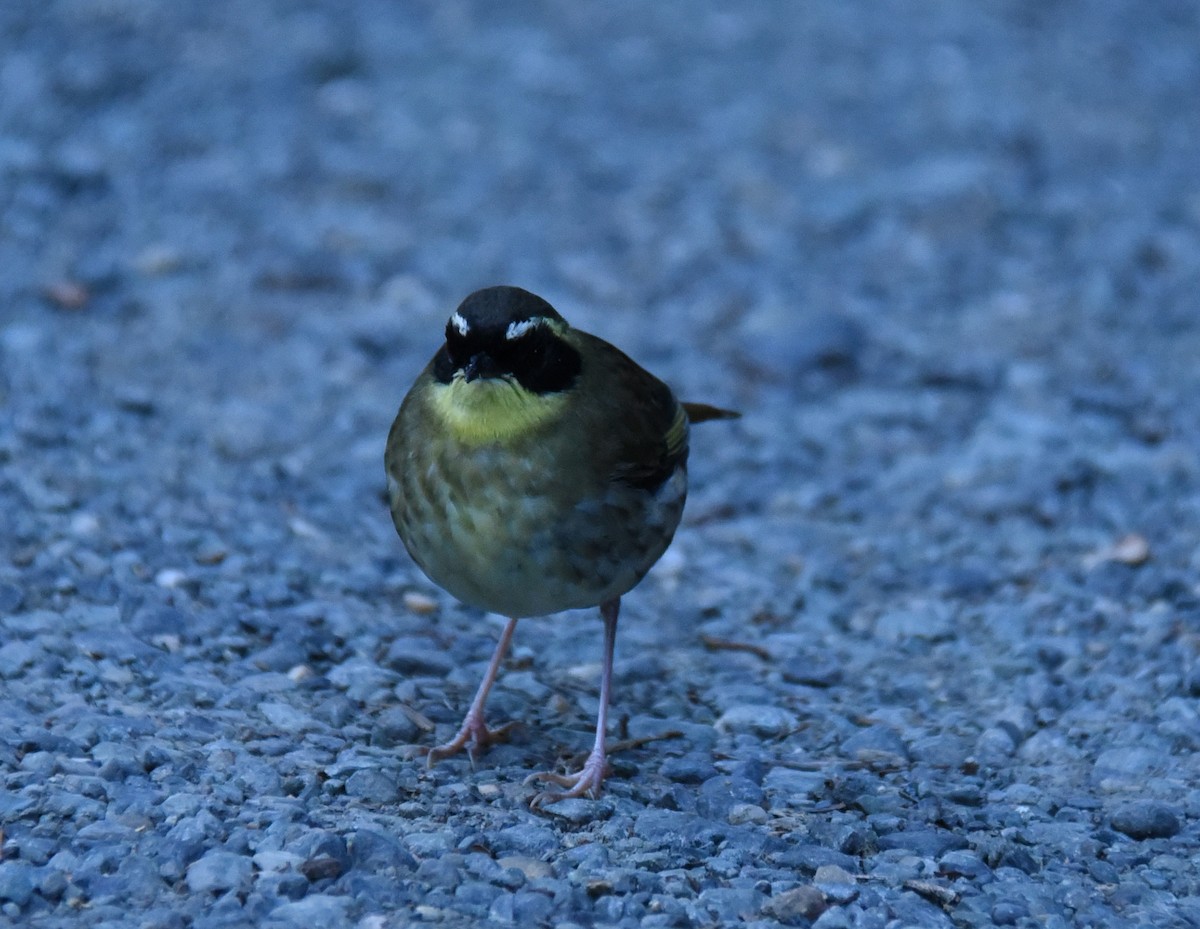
point(536, 469)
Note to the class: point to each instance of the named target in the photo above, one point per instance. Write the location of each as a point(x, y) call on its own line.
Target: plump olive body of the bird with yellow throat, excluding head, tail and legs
point(549, 502)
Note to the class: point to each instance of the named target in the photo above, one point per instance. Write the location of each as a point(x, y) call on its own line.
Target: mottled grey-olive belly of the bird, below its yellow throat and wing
point(487, 528)
